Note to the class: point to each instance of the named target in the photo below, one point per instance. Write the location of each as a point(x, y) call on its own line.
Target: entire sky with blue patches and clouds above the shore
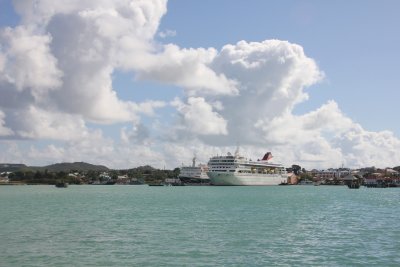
point(128, 83)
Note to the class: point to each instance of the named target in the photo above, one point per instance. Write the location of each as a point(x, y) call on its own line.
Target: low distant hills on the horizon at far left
point(65, 167)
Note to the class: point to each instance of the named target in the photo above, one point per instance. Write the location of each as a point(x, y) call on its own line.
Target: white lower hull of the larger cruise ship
point(226, 178)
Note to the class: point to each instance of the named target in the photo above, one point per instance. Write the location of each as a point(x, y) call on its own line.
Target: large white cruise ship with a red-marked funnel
point(238, 170)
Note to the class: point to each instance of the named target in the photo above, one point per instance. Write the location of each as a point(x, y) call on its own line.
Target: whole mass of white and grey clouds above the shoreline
point(56, 87)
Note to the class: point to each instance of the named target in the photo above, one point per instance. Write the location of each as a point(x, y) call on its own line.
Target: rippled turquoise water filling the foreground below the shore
point(199, 226)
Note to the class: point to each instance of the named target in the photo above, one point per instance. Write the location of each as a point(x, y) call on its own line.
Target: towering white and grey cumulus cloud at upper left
point(60, 62)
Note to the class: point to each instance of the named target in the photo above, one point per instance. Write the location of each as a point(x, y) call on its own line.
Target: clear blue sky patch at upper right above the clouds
point(354, 42)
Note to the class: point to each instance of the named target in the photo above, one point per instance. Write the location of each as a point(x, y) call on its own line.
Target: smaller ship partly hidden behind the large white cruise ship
point(194, 174)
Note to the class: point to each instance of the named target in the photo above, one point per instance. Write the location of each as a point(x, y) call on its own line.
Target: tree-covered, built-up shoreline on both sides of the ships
point(85, 173)
